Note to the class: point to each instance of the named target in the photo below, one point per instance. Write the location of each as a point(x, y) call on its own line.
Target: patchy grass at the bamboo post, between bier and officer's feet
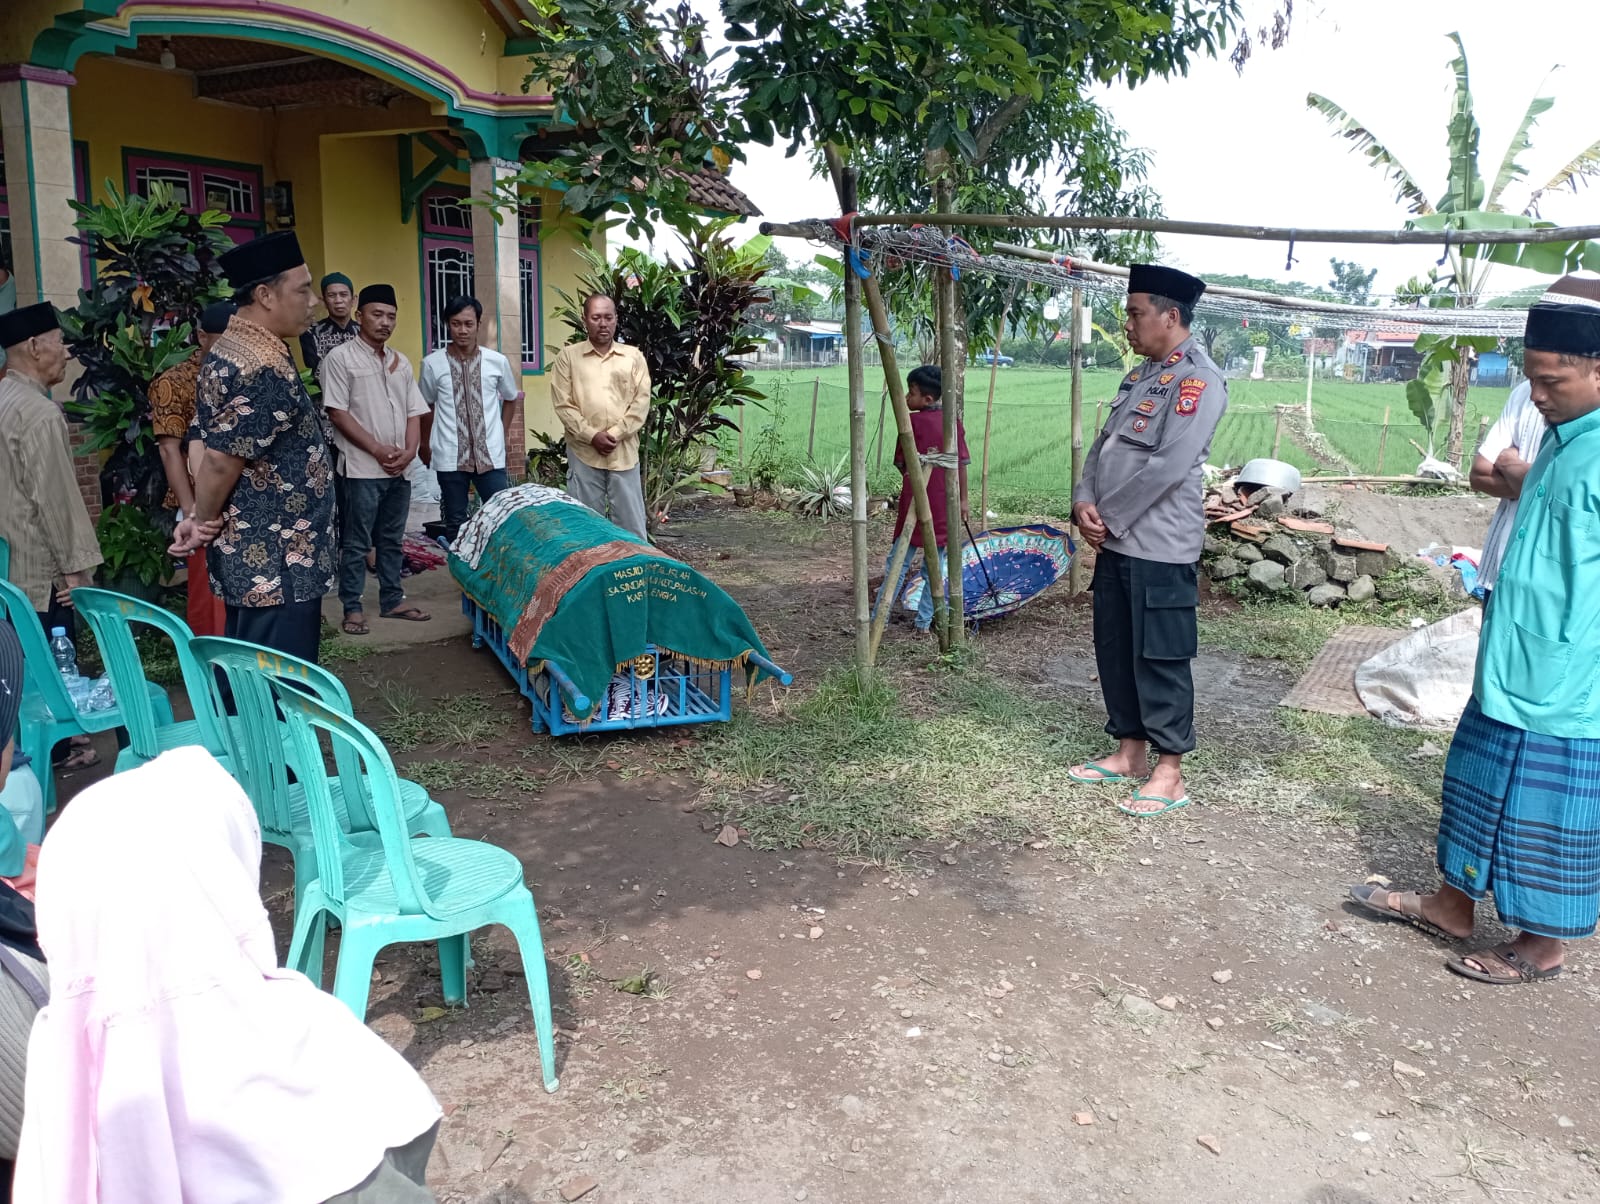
point(863, 769)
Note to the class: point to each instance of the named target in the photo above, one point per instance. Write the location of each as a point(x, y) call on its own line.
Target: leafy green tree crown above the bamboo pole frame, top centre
point(969, 106)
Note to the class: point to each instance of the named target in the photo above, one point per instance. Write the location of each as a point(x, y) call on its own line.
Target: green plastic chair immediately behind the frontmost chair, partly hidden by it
point(263, 766)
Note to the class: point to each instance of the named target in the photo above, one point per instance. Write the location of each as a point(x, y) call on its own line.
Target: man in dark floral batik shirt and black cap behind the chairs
point(265, 489)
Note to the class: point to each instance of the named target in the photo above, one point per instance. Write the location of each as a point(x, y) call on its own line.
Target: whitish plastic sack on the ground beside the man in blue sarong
point(1425, 680)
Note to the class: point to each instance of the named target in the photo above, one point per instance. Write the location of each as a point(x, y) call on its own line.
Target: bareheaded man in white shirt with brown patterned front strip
point(473, 398)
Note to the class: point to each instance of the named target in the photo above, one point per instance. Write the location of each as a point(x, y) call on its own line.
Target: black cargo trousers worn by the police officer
point(1146, 636)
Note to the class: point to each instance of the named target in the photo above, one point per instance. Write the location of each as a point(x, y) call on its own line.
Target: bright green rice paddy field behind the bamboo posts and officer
point(1031, 436)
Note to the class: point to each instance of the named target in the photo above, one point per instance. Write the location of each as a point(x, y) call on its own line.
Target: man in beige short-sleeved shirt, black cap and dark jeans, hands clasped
point(377, 414)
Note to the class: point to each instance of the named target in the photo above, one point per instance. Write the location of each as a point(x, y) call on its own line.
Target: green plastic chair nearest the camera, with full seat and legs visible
point(407, 891)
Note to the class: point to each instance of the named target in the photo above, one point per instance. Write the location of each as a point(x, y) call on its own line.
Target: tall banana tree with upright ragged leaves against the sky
point(1468, 204)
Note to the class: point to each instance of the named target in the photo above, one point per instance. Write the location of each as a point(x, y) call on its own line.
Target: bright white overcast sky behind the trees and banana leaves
point(1247, 150)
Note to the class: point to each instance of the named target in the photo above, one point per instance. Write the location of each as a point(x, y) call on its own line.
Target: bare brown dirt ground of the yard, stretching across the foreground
point(1196, 1017)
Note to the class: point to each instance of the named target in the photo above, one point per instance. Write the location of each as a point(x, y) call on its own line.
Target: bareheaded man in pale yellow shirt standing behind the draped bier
point(601, 390)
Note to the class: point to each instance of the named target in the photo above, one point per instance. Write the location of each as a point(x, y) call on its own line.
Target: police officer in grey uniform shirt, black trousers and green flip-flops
point(1142, 507)
